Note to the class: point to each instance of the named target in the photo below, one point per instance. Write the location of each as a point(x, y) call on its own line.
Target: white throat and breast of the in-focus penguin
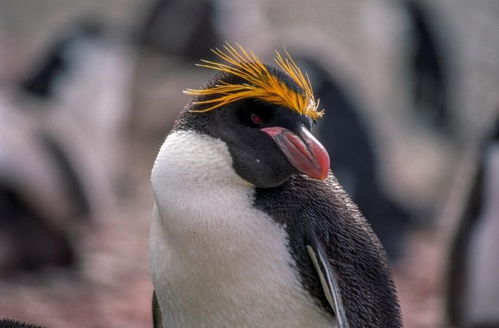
point(216, 261)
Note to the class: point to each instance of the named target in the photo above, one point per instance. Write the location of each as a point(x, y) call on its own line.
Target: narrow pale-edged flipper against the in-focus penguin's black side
point(327, 278)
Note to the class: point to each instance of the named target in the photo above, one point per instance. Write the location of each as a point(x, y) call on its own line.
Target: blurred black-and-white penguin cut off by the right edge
point(473, 280)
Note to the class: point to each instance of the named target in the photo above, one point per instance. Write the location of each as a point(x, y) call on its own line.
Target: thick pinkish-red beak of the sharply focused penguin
point(304, 152)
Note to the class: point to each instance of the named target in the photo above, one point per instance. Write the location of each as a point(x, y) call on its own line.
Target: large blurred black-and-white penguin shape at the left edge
point(59, 146)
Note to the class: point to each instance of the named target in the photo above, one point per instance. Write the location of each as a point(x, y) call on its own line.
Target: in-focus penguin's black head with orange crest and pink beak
point(264, 116)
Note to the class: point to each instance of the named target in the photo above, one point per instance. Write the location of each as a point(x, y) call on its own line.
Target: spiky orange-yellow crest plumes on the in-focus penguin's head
point(260, 83)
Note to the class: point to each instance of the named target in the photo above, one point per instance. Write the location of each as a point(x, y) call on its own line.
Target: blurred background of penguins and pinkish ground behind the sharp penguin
point(89, 90)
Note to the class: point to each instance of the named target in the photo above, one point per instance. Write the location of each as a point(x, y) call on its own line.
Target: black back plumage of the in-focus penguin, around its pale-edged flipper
point(364, 278)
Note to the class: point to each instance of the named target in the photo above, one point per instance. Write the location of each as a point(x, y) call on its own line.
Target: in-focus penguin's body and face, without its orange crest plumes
point(250, 229)
